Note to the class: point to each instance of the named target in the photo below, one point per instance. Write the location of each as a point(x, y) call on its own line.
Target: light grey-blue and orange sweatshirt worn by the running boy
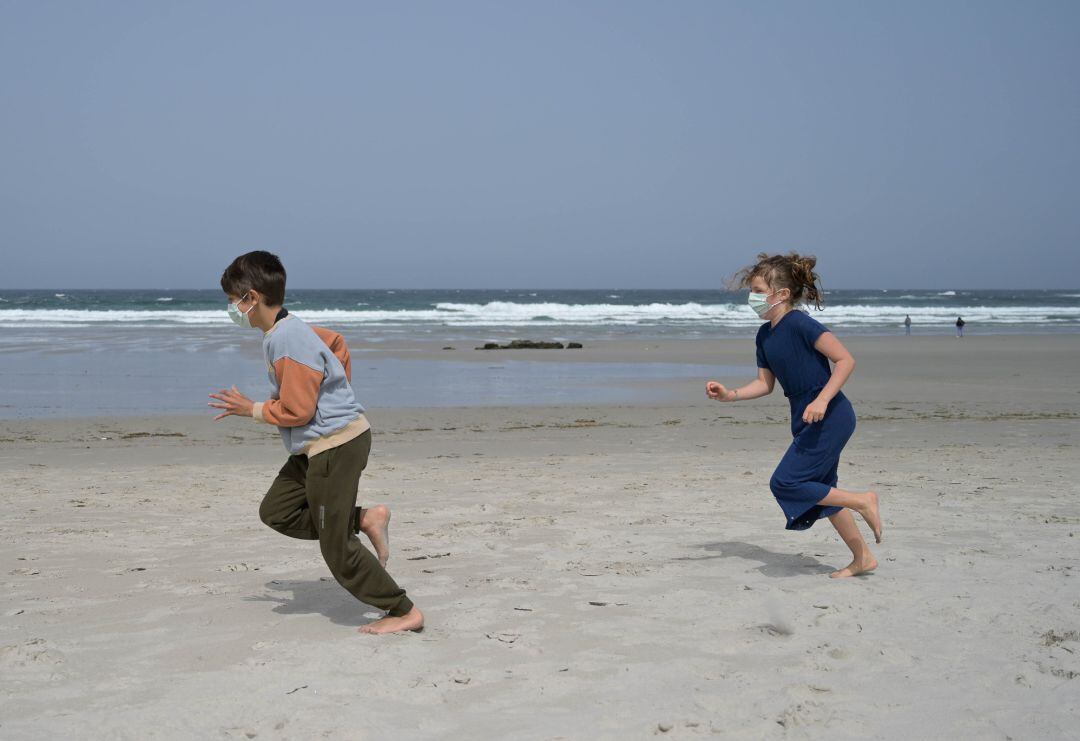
point(313, 403)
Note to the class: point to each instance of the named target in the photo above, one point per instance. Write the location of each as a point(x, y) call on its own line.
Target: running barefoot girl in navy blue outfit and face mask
point(795, 349)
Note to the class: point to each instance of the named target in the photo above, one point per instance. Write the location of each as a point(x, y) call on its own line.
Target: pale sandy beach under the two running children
point(587, 572)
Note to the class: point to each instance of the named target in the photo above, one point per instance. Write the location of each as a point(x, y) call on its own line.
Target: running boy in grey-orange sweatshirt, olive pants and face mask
point(327, 435)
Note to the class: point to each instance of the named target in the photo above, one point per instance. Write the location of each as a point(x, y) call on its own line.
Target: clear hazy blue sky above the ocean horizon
point(539, 144)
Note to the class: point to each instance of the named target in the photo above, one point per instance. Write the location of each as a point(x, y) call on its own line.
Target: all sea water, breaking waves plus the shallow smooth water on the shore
point(69, 354)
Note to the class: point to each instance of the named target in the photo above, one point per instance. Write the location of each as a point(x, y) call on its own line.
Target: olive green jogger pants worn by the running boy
point(315, 500)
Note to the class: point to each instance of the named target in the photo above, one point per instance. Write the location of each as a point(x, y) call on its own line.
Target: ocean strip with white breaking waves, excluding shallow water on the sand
point(599, 313)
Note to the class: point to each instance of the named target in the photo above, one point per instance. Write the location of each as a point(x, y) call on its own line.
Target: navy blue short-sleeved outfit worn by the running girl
point(809, 468)
